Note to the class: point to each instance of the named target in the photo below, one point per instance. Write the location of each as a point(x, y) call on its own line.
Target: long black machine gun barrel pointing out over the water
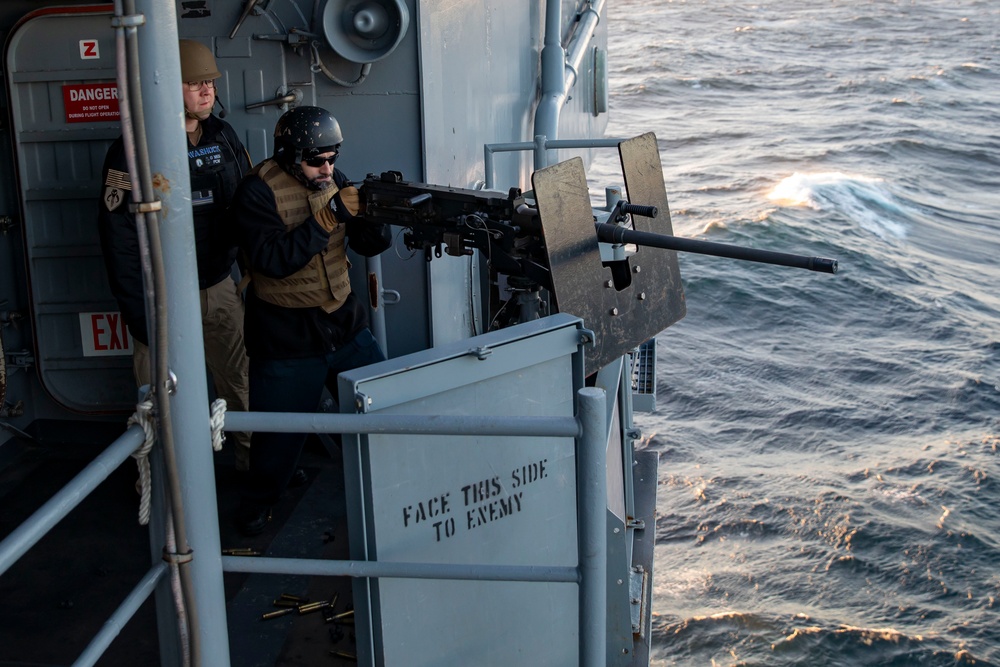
point(615, 234)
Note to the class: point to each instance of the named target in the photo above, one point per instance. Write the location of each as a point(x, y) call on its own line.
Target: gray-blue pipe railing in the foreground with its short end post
point(588, 428)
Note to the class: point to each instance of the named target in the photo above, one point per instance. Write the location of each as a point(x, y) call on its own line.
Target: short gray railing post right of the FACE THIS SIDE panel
point(592, 503)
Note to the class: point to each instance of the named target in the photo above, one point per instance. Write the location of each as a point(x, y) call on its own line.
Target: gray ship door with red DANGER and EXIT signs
point(59, 68)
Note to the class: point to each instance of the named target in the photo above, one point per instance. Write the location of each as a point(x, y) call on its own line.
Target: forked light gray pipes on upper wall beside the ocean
point(559, 71)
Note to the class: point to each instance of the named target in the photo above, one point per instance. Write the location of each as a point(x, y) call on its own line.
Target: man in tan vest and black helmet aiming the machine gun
point(296, 215)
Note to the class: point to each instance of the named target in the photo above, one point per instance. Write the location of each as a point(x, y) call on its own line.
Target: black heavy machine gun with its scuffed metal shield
point(548, 239)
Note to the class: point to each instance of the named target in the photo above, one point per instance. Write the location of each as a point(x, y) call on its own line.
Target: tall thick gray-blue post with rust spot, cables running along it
point(163, 111)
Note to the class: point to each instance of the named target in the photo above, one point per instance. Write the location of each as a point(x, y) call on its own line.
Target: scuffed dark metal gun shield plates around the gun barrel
point(621, 316)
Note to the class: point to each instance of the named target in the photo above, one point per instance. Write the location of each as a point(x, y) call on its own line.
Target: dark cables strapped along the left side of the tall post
point(154, 280)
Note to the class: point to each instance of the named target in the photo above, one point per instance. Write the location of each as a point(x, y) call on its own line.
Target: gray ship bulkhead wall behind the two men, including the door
point(463, 74)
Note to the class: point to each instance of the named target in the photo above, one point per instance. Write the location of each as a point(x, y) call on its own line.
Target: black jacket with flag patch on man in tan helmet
point(216, 165)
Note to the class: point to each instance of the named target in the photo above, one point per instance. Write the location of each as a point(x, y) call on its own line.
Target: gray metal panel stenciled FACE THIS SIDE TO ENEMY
point(462, 500)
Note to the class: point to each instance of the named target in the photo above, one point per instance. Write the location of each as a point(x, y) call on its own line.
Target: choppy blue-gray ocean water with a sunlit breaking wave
point(829, 467)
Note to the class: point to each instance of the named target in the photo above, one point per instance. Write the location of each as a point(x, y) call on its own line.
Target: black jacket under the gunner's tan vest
point(277, 332)
